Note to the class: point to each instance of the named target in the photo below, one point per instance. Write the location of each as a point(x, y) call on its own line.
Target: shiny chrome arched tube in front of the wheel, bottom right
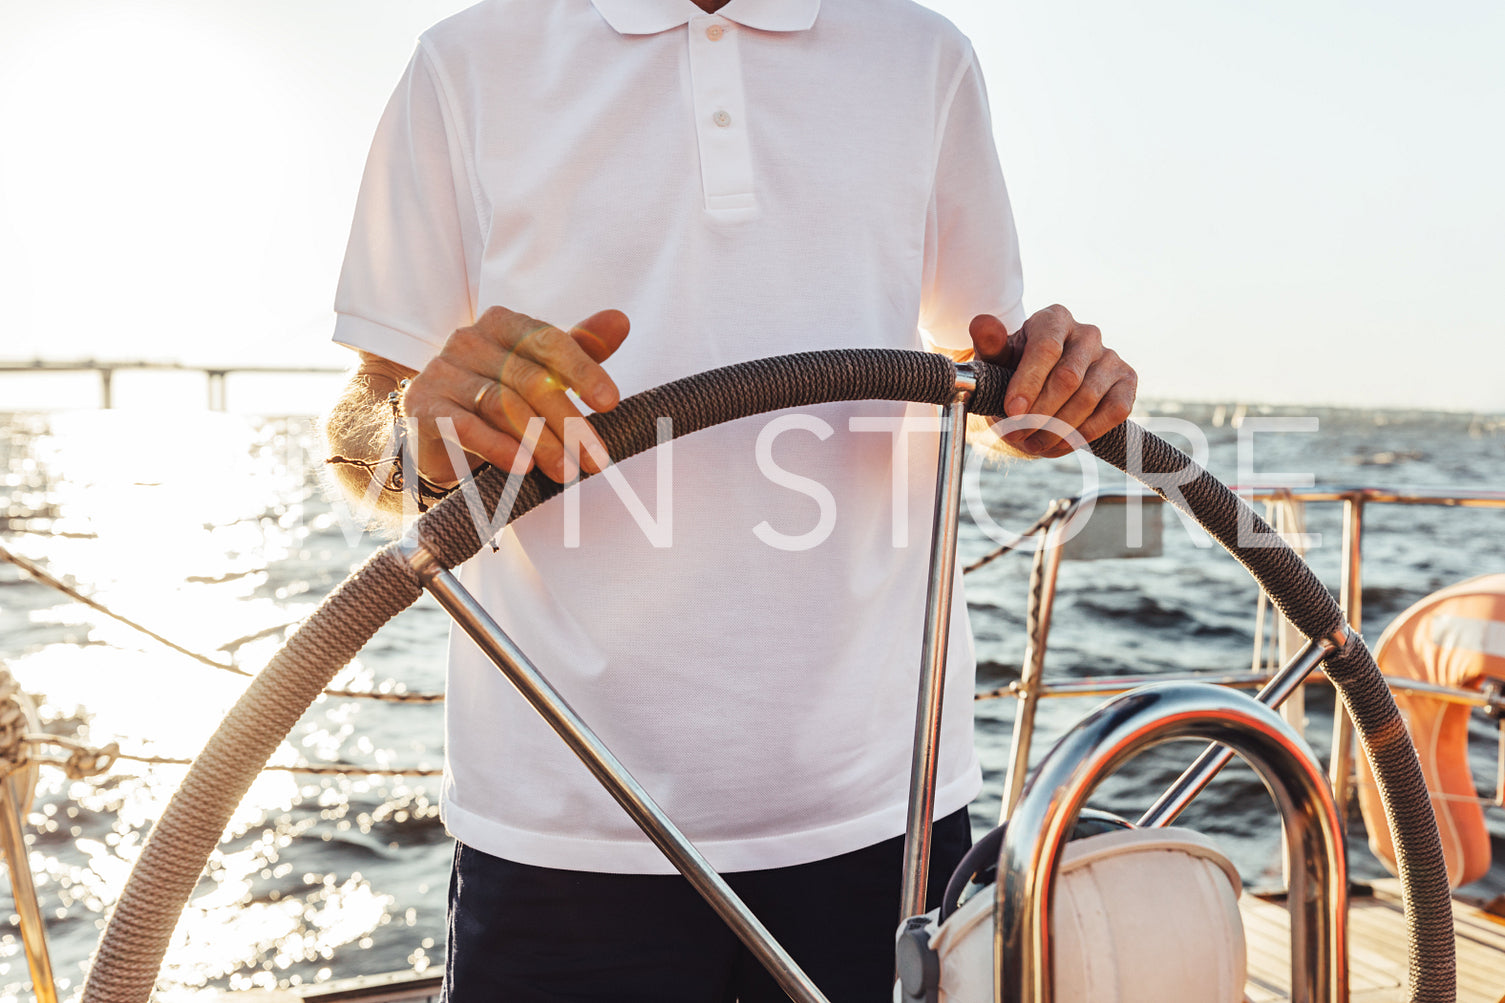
point(1105, 740)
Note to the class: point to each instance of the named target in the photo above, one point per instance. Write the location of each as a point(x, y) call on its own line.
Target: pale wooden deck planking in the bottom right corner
point(1378, 956)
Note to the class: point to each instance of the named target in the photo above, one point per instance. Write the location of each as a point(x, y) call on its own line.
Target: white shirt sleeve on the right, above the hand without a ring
point(971, 263)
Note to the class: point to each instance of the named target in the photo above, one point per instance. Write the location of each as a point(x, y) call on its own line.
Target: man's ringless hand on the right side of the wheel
point(1062, 371)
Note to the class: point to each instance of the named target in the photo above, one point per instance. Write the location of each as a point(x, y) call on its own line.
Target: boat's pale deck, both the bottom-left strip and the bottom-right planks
point(1376, 959)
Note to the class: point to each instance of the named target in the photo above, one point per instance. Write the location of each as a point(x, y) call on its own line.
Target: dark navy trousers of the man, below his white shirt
point(523, 934)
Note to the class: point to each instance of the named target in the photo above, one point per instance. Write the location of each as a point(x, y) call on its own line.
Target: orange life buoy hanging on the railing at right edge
point(1455, 638)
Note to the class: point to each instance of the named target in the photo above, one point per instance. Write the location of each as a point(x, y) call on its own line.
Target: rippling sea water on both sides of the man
point(216, 532)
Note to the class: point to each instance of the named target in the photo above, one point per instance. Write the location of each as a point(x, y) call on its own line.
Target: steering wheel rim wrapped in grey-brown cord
point(162, 882)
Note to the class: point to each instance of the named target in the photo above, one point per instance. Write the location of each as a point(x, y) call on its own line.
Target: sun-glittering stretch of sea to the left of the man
point(211, 531)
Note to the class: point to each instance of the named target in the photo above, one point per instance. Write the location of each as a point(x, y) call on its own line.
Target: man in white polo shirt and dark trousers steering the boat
point(741, 180)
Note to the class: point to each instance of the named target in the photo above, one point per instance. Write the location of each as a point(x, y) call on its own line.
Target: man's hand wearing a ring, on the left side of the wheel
point(491, 379)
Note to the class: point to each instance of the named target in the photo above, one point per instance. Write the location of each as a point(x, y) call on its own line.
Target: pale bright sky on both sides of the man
point(1289, 203)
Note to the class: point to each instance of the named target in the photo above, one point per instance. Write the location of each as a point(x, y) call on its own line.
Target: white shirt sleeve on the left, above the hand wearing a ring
point(407, 281)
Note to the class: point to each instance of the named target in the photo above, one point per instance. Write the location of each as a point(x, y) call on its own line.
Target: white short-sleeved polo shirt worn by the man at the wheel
point(785, 175)
